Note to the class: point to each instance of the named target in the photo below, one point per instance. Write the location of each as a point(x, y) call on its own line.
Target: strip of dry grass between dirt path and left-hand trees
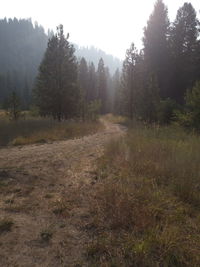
point(38, 130)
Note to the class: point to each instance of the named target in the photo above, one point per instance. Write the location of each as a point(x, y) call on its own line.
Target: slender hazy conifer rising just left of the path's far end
point(102, 86)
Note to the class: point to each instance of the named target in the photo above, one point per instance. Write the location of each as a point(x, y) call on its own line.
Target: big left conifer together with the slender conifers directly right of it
point(66, 88)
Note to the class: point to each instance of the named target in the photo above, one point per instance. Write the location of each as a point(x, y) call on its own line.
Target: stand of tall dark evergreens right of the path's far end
point(155, 80)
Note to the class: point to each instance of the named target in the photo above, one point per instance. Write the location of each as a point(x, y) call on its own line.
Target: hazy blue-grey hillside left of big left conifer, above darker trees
point(22, 45)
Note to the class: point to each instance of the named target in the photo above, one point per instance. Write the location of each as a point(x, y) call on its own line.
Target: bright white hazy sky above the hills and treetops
point(110, 25)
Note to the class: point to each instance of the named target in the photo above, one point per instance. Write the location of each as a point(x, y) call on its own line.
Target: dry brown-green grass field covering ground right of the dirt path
point(146, 208)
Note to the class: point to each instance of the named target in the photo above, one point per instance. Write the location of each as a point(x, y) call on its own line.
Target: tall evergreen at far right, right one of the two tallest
point(184, 50)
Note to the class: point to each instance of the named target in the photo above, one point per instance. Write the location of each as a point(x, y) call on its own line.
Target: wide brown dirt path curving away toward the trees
point(43, 190)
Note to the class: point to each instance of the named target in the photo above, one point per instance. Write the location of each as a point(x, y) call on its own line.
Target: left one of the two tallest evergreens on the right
point(156, 47)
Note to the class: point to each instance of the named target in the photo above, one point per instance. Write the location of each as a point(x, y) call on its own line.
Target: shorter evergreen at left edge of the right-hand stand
point(140, 90)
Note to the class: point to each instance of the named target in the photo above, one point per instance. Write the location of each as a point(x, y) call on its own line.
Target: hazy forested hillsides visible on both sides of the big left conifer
point(22, 46)
